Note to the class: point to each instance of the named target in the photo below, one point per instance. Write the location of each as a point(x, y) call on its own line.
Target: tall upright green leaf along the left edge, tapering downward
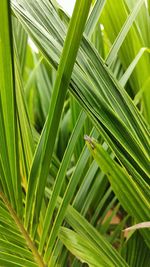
point(9, 147)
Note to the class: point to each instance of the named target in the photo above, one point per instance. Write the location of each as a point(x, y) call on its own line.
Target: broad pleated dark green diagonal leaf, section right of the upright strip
point(100, 89)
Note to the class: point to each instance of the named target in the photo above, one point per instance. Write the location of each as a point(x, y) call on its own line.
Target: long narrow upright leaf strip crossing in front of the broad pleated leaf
point(48, 137)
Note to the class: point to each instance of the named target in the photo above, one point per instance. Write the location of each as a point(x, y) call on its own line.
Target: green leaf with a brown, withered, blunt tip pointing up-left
point(129, 193)
